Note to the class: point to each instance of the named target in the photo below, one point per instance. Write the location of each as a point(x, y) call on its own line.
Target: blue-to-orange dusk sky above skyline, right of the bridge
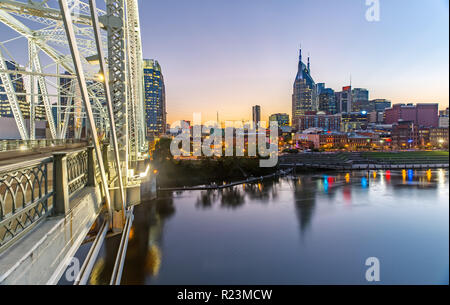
point(227, 55)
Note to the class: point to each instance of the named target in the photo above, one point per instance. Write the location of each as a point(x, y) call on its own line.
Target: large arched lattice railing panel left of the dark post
point(25, 193)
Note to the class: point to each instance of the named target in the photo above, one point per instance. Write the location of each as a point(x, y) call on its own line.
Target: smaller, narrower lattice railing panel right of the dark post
point(77, 171)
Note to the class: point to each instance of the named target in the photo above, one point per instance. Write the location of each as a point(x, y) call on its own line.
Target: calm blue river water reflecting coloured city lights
point(304, 229)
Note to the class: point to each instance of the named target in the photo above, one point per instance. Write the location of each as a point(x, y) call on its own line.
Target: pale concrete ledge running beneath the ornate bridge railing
point(42, 255)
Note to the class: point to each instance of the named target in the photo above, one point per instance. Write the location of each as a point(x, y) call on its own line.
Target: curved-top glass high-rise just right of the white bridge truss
point(154, 98)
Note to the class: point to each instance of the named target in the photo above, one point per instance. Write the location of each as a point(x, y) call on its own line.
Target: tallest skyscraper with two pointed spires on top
point(304, 97)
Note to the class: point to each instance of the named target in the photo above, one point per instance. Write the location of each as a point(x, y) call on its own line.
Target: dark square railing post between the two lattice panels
point(60, 184)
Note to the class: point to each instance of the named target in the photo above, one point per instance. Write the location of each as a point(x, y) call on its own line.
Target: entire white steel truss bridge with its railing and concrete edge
point(82, 74)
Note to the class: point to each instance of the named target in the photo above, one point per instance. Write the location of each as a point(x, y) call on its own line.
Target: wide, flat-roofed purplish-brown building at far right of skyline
point(423, 115)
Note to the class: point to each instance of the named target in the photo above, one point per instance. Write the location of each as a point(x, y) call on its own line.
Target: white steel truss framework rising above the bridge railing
point(39, 48)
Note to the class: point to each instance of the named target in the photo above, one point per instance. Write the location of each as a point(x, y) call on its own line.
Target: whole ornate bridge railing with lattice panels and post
point(30, 191)
